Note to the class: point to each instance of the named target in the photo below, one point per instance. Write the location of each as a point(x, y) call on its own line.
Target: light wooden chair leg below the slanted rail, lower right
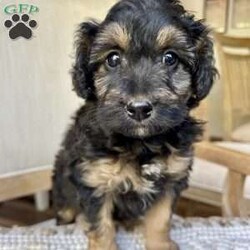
point(232, 198)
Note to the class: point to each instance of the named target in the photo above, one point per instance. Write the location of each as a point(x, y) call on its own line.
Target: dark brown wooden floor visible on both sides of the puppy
point(22, 212)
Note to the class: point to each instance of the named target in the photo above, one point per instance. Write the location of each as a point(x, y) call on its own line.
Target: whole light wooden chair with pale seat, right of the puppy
point(234, 56)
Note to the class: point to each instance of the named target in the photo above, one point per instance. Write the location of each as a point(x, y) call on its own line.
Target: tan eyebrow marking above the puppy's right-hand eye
point(168, 35)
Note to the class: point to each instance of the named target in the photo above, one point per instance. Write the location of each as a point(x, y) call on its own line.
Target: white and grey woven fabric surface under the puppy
point(190, 234)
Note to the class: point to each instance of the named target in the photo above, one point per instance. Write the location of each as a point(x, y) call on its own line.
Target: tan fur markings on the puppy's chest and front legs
point(107, 175)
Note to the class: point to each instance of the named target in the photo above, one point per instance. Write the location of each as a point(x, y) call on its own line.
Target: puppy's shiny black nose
point(139, 110)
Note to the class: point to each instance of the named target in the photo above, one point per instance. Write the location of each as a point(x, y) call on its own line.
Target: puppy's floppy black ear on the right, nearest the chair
point(204, 72)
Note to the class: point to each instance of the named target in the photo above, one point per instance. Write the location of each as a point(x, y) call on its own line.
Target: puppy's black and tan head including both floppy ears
point(146, 65)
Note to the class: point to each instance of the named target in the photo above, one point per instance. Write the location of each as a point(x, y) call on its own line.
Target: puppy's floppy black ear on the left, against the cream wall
point(82, 74)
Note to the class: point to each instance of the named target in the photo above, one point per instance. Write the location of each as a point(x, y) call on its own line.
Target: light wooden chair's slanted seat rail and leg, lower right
point(238, 166)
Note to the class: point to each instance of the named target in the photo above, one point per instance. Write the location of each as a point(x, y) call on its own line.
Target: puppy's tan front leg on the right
point(157, 226)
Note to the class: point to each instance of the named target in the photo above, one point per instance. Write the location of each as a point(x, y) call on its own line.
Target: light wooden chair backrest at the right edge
point(234, 57)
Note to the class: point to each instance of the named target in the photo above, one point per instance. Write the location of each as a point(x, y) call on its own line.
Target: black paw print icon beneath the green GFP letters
point(20, 26)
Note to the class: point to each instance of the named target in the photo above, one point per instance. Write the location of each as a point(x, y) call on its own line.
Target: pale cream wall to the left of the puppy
point(36, 100)
